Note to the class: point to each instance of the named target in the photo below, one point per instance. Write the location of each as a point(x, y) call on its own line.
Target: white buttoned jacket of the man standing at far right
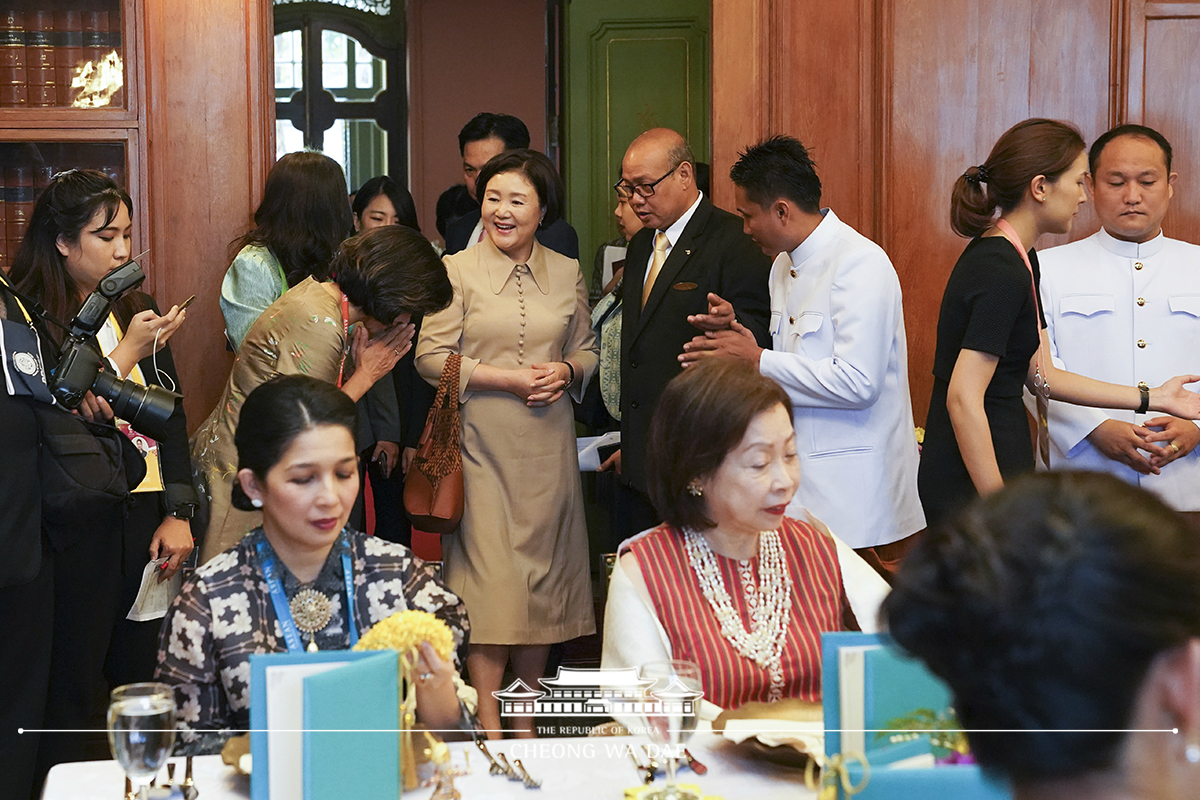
point(1125, 314)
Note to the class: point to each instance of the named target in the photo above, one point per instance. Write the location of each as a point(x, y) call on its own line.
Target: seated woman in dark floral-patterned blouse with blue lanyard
point(298, 464)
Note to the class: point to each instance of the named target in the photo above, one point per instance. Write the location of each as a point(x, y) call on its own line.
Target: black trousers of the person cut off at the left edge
point(27, 625)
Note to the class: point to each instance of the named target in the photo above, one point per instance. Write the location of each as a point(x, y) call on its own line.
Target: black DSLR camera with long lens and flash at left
point(81, 366)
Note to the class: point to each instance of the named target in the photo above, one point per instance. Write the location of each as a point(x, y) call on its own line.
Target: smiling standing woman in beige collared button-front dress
point(520, 321)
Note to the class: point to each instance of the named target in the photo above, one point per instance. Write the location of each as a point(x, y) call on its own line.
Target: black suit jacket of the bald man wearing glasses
point(712, 255)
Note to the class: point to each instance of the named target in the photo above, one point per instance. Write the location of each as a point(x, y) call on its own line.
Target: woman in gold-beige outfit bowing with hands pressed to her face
point(383, 278)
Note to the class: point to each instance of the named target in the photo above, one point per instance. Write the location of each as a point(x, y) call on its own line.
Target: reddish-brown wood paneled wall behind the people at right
point(897, 98)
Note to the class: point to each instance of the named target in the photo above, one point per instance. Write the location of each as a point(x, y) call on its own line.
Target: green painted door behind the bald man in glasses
point(631, 67)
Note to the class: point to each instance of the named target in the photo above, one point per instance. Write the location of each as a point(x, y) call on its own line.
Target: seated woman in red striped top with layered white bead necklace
point(728, 581)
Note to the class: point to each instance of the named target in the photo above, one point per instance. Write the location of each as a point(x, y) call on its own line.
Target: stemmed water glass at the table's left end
point(142, 731)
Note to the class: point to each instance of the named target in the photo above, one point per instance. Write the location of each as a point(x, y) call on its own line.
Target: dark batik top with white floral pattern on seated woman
point(225, 615)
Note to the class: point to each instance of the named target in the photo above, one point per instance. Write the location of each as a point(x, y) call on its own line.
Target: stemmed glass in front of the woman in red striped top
point(671, 695)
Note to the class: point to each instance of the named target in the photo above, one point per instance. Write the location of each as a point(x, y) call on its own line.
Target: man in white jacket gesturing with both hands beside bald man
point(839, 351)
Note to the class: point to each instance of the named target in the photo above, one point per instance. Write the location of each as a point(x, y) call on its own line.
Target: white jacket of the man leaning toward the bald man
point(841, 352)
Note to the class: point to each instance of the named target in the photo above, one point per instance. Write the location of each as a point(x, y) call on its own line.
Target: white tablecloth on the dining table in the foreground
point(572, 769)
